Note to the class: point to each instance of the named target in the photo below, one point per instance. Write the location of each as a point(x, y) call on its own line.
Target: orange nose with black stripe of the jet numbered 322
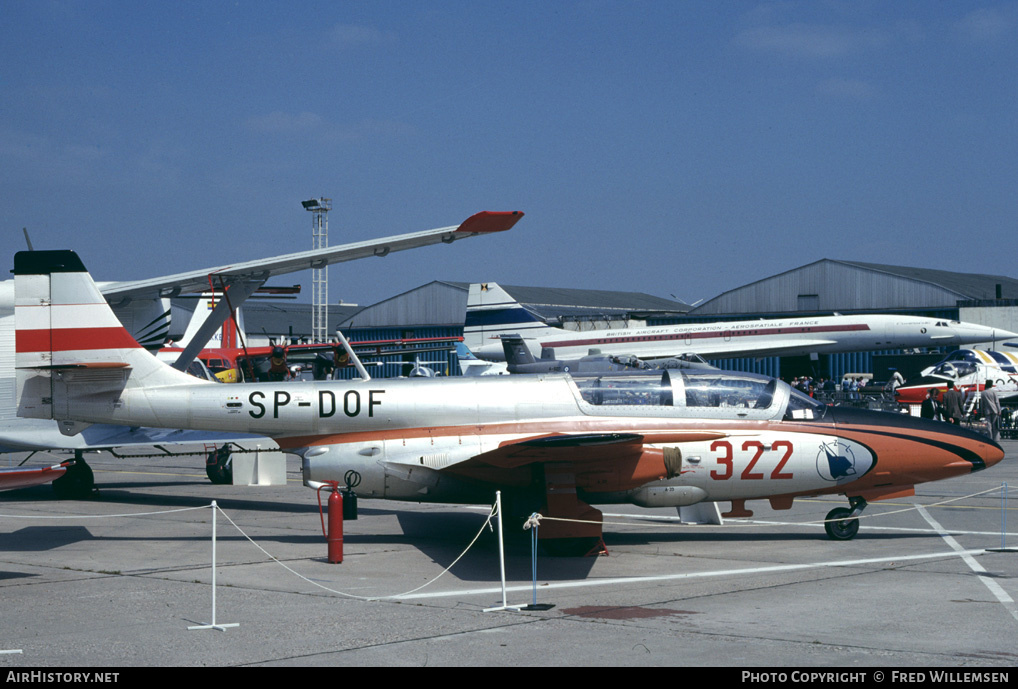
point(925, 449)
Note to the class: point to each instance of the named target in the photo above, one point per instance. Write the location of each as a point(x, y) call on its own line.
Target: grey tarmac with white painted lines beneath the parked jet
point(117, 582)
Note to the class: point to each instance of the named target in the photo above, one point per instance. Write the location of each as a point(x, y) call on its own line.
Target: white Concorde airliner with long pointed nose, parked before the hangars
point(492, 313)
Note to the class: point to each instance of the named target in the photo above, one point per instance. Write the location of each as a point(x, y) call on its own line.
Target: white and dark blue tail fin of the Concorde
point(491, 313)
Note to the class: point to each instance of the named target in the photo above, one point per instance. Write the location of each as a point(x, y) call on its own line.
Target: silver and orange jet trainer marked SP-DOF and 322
point(553, 443)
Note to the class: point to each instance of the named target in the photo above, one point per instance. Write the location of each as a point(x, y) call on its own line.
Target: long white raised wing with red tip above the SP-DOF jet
point(485, 222)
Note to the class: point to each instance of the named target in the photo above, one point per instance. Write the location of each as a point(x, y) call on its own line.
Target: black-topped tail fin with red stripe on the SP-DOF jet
point(71, 350)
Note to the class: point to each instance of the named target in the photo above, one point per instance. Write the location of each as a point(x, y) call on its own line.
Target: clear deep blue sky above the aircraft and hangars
point(671, 148)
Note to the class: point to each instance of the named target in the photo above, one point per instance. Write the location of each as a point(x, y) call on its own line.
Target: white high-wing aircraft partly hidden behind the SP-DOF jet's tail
point(143, 307)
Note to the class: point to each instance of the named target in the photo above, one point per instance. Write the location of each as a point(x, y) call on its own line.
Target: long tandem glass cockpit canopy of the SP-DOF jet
point(710, 394)
